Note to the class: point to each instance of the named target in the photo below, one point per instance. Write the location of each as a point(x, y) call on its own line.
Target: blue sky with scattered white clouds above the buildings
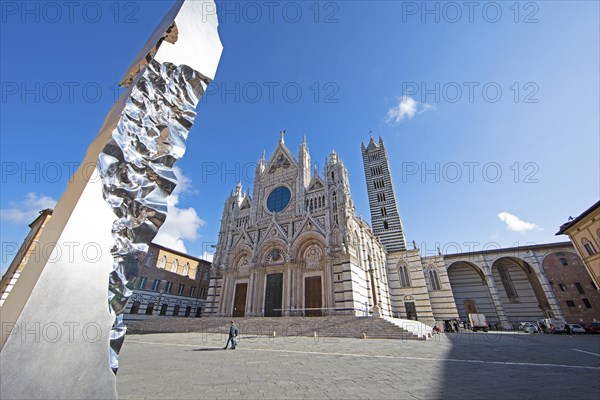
point(465, 93)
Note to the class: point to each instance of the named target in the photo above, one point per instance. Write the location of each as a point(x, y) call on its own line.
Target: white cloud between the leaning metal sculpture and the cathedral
point(182, 223)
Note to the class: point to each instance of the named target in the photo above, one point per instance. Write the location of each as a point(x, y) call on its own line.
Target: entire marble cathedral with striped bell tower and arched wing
point(296, 248)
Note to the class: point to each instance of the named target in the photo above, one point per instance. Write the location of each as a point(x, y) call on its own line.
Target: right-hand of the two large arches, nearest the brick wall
point(520, 291)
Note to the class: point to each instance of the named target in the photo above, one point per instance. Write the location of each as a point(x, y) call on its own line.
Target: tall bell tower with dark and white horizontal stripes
point(385, 219)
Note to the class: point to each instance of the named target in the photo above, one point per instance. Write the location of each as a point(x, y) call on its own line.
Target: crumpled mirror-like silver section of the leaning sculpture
point(136, 168)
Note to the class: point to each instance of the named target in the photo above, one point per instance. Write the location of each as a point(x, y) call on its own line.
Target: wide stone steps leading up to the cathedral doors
point(328, 326)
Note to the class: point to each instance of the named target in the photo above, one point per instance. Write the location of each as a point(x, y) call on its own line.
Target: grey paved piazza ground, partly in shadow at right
point(452, 366)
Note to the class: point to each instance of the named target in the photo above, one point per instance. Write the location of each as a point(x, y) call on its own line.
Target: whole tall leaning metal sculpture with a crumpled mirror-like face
point(55, 337)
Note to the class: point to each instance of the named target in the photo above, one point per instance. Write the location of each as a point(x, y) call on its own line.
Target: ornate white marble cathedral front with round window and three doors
point(295, 247)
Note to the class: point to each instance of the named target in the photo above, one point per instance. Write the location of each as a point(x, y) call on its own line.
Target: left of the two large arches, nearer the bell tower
point(471, 291)
